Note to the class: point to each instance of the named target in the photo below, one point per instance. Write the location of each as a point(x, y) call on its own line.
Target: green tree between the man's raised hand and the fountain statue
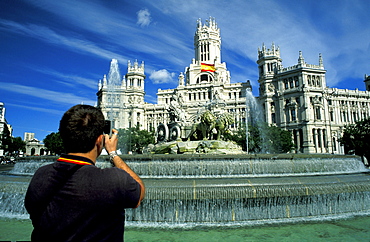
point(135, 139)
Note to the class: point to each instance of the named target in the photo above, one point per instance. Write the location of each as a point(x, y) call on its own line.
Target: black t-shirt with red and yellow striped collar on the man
point(68, 201)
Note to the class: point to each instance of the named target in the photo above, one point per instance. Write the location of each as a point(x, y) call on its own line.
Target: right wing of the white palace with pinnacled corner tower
point(296, 98)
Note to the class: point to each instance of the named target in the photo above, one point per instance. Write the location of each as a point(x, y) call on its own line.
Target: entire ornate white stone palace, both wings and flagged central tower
point(294, 98)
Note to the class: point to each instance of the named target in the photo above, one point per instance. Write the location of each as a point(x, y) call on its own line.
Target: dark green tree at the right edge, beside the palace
point(356, 138)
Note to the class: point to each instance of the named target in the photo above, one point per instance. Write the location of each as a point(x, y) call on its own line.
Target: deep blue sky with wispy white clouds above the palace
point(53, 53)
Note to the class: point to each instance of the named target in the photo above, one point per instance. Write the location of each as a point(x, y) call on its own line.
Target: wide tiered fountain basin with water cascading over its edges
point(193, 189)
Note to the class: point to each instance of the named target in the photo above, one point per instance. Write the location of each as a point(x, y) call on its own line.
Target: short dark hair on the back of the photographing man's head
point(79, 128)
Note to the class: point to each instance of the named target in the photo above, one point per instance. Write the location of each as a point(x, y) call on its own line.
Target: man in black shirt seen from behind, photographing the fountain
point(72, 199)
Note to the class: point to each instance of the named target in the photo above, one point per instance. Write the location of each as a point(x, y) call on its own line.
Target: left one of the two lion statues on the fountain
point(202, 130)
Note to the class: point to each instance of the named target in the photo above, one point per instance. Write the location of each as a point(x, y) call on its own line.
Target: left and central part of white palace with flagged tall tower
point(204, 85)
